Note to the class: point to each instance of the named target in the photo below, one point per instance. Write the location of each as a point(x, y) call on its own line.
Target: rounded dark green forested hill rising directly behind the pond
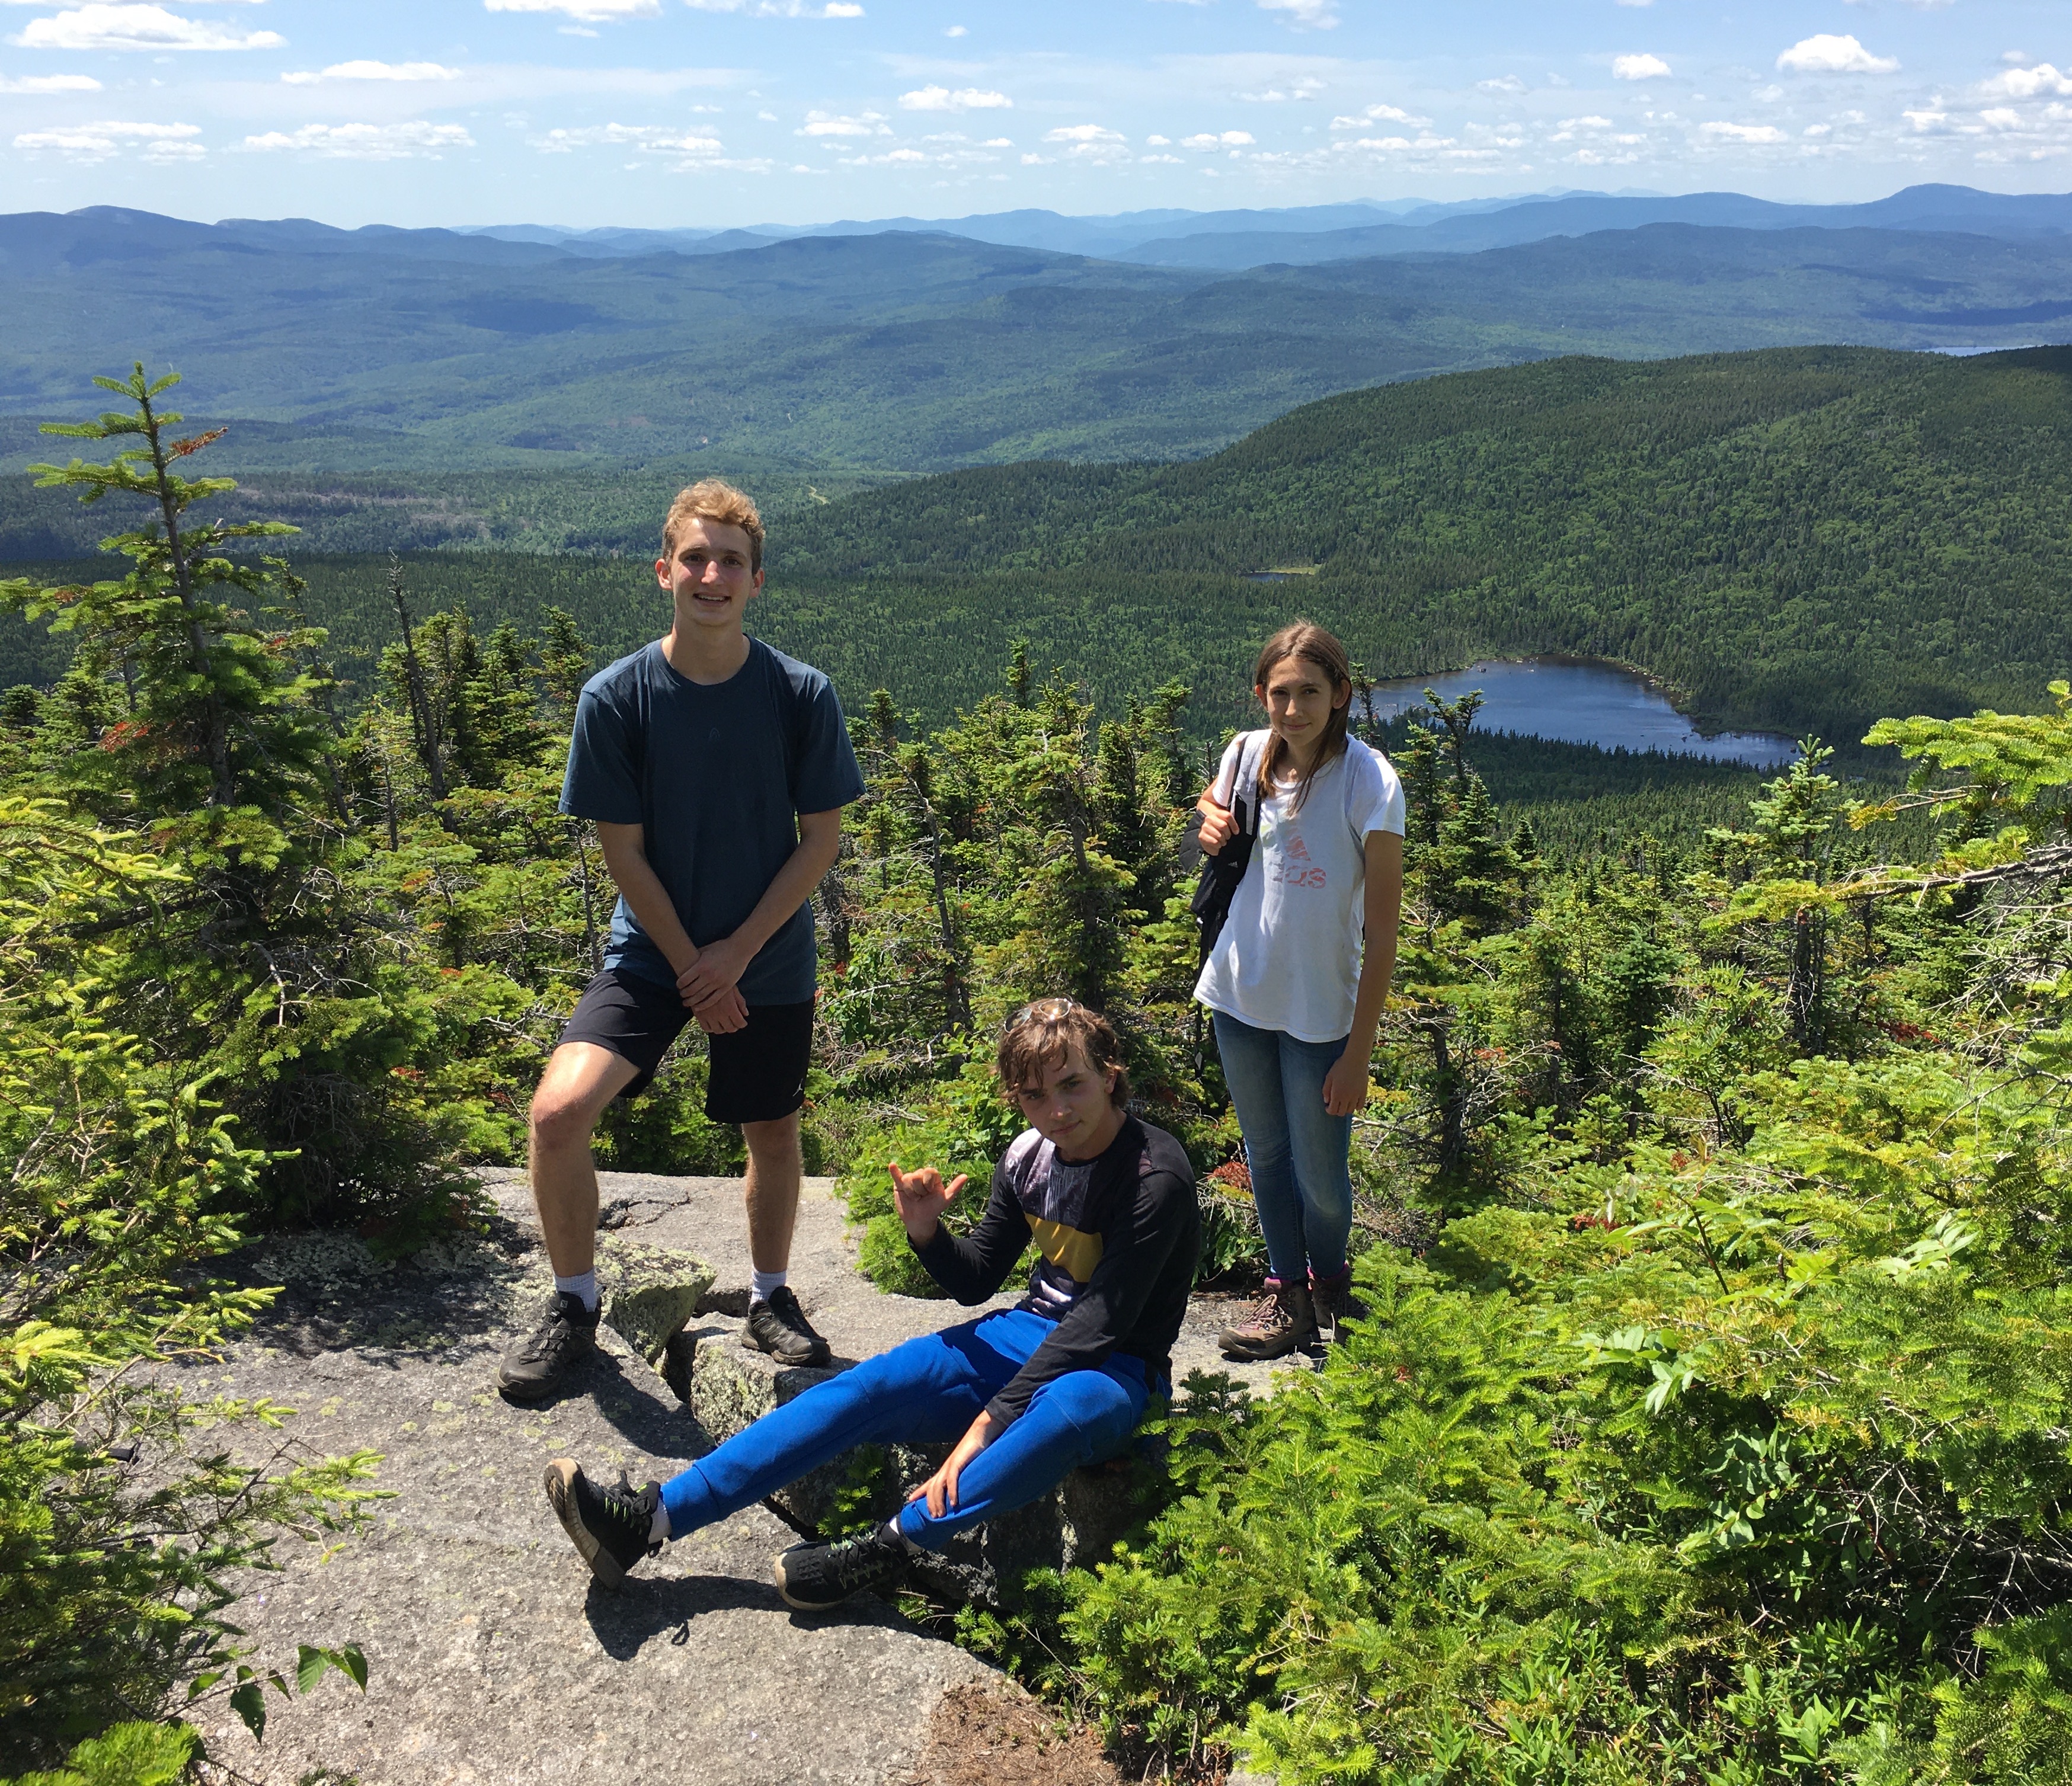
point(1800, 540)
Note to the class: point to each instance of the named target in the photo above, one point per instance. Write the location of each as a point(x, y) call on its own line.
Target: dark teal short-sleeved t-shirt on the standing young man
point(716, 778)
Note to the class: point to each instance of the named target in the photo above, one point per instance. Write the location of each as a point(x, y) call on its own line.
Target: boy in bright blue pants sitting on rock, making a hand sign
point(1027, 1393)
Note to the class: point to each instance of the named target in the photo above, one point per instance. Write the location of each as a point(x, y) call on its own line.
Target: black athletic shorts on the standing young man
point(759, 1074)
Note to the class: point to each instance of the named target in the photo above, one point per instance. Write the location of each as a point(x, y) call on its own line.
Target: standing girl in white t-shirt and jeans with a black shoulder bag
point(1300, 975)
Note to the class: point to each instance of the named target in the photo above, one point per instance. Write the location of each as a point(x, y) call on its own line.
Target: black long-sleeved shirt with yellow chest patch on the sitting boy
point(1120, 1236)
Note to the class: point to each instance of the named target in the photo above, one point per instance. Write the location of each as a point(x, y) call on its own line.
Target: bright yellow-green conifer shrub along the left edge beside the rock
point(119, 1534)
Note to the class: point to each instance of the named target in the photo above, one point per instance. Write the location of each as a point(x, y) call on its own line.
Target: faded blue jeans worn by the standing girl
point(1296, 1149)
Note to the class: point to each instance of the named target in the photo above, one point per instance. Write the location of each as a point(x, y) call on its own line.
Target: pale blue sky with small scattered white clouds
point(728, 113)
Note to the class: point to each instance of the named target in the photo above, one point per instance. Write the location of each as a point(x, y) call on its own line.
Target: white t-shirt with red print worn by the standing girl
point(1290, 952)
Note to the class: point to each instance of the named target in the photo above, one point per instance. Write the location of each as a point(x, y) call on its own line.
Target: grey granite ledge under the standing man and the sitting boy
point(494, 1657)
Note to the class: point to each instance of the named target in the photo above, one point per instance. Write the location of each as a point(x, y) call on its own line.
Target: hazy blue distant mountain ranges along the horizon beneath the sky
point(896, 351)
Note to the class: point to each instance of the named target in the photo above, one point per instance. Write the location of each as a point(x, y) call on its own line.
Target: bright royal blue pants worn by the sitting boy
point(927, 1391)
